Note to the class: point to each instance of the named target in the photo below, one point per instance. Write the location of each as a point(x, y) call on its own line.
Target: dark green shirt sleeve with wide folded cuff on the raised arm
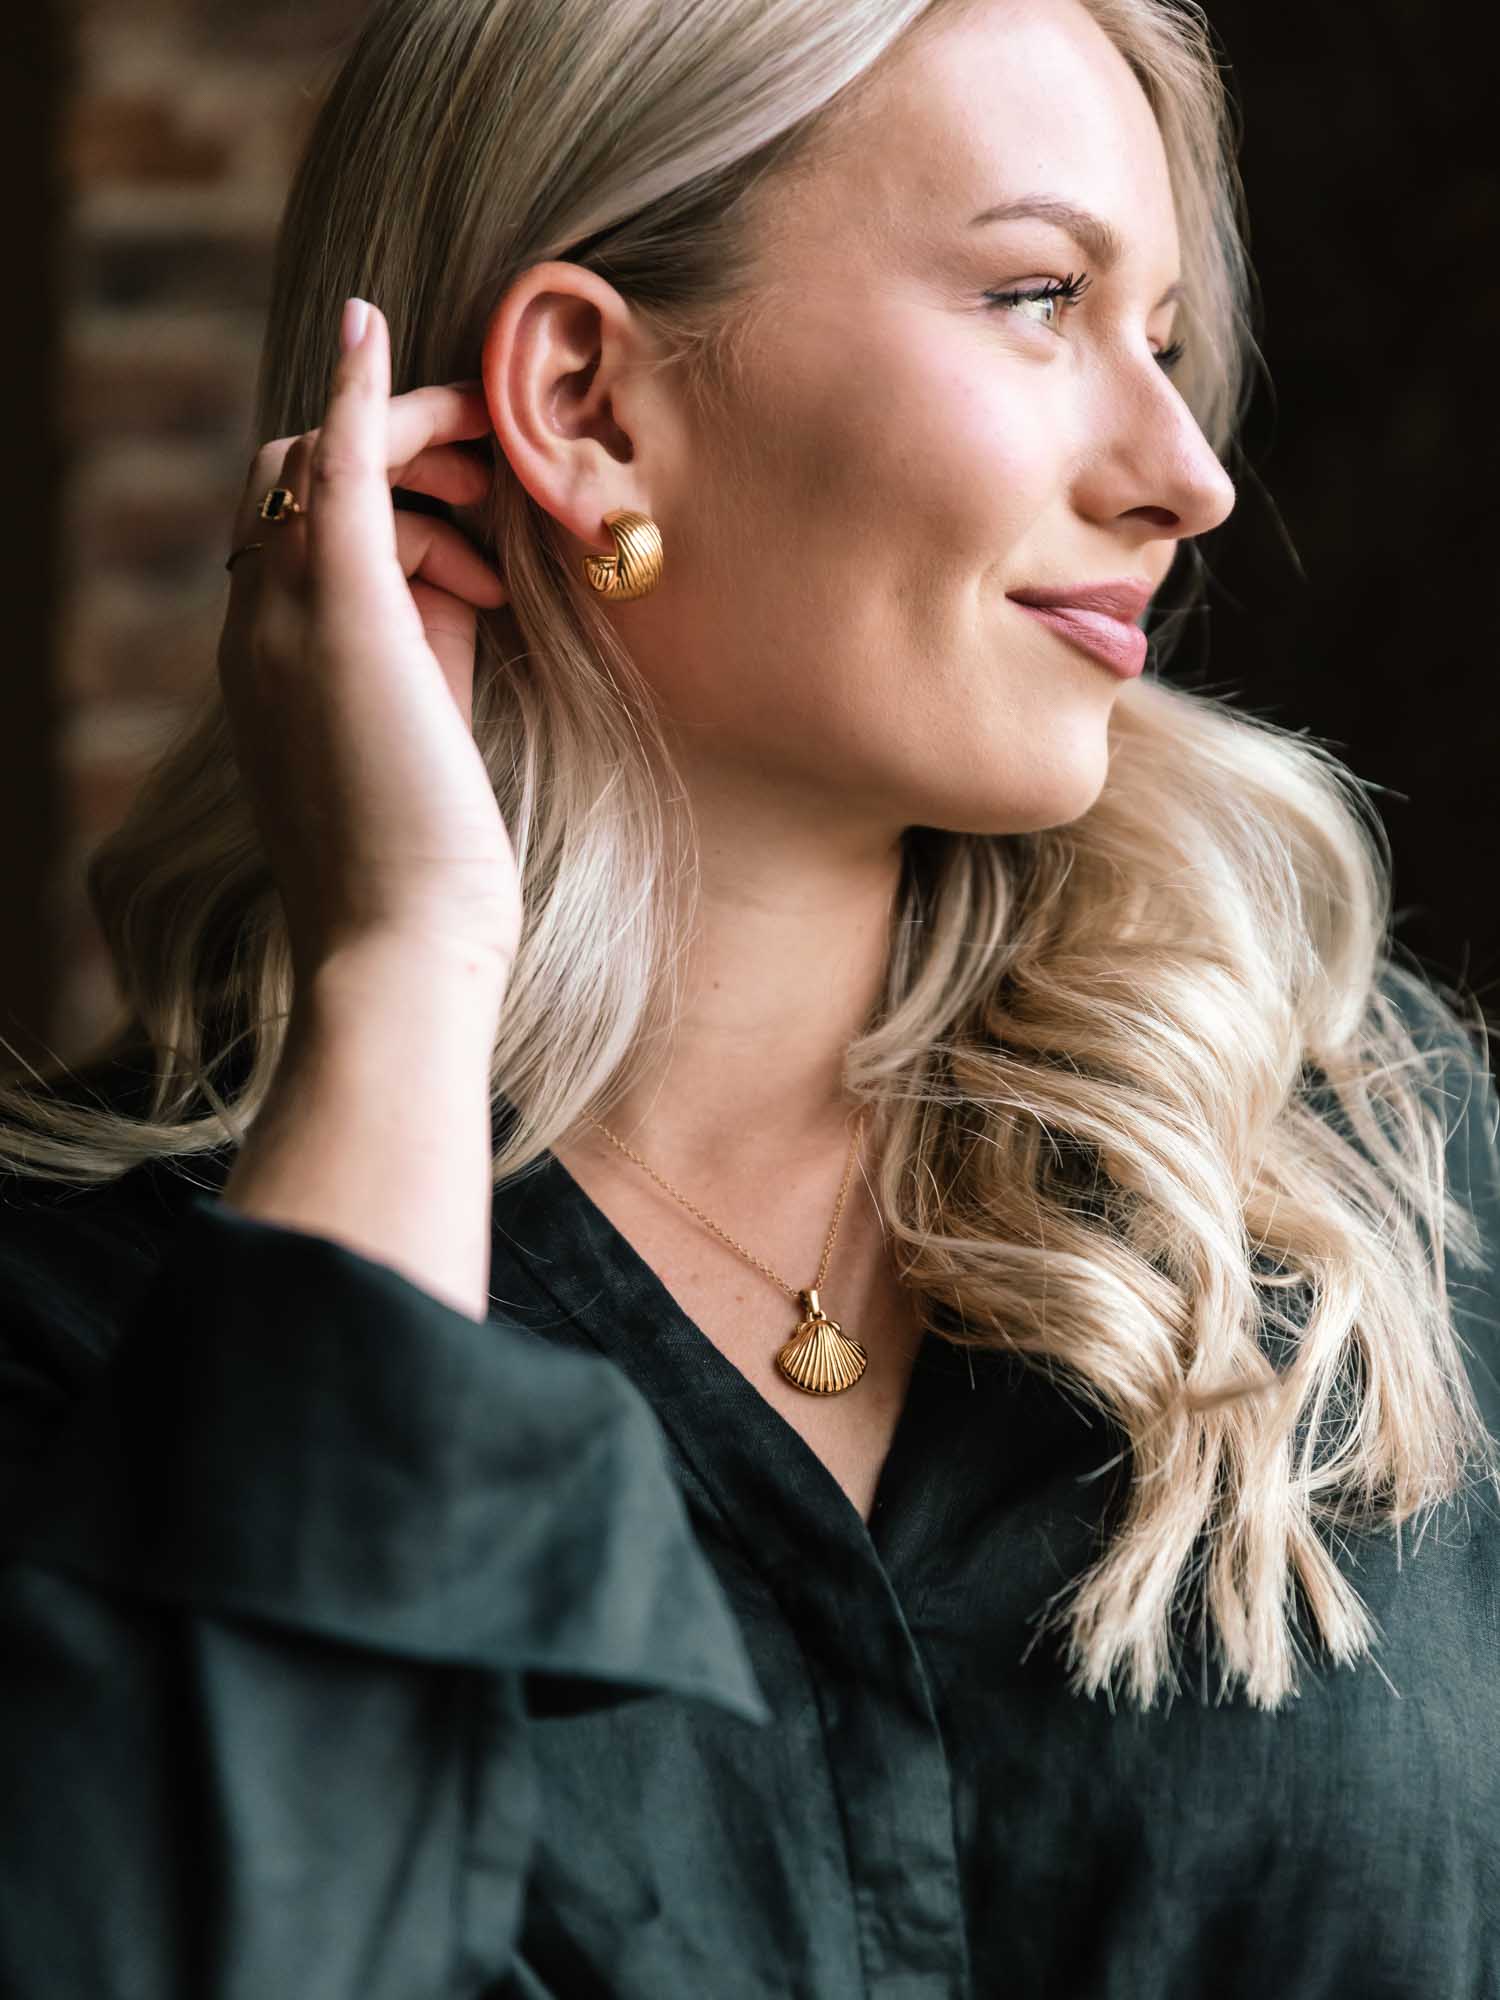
point(285, 1569)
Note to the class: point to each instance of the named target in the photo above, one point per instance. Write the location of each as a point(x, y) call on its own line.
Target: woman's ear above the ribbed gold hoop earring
point(575, 401)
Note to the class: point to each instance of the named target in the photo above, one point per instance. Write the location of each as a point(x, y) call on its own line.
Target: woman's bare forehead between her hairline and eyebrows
point(987, 103)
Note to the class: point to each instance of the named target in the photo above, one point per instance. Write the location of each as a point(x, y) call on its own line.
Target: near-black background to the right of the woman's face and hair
point(1355, 581)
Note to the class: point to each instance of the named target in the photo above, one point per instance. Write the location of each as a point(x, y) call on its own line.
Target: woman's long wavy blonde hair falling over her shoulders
point(1107, 1053)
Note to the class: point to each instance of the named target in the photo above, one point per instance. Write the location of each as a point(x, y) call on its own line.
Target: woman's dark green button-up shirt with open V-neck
point(359, 1651)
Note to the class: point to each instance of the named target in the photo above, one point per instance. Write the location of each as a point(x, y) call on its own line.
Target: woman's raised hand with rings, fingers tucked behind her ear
point(347, 665)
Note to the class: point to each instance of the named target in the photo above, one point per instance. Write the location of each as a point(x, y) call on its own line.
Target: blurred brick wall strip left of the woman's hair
point(181, 133)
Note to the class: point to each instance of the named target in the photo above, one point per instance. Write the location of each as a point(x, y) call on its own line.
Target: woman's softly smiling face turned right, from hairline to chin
point(833, 637)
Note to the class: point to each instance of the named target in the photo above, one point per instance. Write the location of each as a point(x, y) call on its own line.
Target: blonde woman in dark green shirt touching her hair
point(779, 1295)
